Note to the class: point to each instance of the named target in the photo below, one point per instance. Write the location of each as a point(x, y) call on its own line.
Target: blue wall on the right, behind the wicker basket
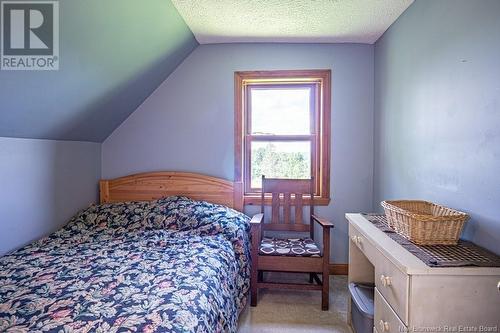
point(437, 111)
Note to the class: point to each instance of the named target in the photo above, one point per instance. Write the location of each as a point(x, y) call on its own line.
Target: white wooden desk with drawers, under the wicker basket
point(411, 296)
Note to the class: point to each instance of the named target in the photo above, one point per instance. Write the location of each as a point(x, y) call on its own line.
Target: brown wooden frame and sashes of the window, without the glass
point(320, 138)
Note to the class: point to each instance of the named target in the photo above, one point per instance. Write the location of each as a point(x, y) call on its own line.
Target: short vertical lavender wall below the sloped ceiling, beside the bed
point(42, 184)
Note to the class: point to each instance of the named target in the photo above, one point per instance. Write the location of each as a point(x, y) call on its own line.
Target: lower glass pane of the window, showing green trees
point(280, 159)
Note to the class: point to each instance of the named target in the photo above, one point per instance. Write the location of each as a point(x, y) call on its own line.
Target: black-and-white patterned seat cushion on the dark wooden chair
point(290, 247)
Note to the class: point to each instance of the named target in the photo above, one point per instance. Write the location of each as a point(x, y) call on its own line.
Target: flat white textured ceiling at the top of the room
point(301, 21)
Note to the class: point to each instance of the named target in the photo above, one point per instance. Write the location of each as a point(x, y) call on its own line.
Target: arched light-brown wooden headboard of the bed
point(155, 185)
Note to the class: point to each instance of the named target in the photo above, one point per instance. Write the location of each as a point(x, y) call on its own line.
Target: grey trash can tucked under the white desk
point(361, 307)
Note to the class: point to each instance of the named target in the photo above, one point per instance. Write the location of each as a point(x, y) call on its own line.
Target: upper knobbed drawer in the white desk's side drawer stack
point(393, 285)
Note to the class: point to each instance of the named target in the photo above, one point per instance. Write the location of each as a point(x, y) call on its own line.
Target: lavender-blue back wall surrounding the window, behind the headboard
point(187, 123)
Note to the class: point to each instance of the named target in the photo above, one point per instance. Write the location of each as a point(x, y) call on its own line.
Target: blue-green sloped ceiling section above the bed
point(113, 54)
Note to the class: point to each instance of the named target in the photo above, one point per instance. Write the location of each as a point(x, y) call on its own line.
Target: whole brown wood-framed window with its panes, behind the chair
point(282, 129)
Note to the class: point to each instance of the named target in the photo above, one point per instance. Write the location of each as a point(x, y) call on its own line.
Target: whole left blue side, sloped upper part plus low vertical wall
point(113, 54)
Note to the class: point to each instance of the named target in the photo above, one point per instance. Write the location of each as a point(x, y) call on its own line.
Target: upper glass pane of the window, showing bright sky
point(280, 111)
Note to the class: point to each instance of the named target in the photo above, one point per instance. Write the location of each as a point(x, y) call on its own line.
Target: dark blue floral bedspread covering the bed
point(172, 265)
